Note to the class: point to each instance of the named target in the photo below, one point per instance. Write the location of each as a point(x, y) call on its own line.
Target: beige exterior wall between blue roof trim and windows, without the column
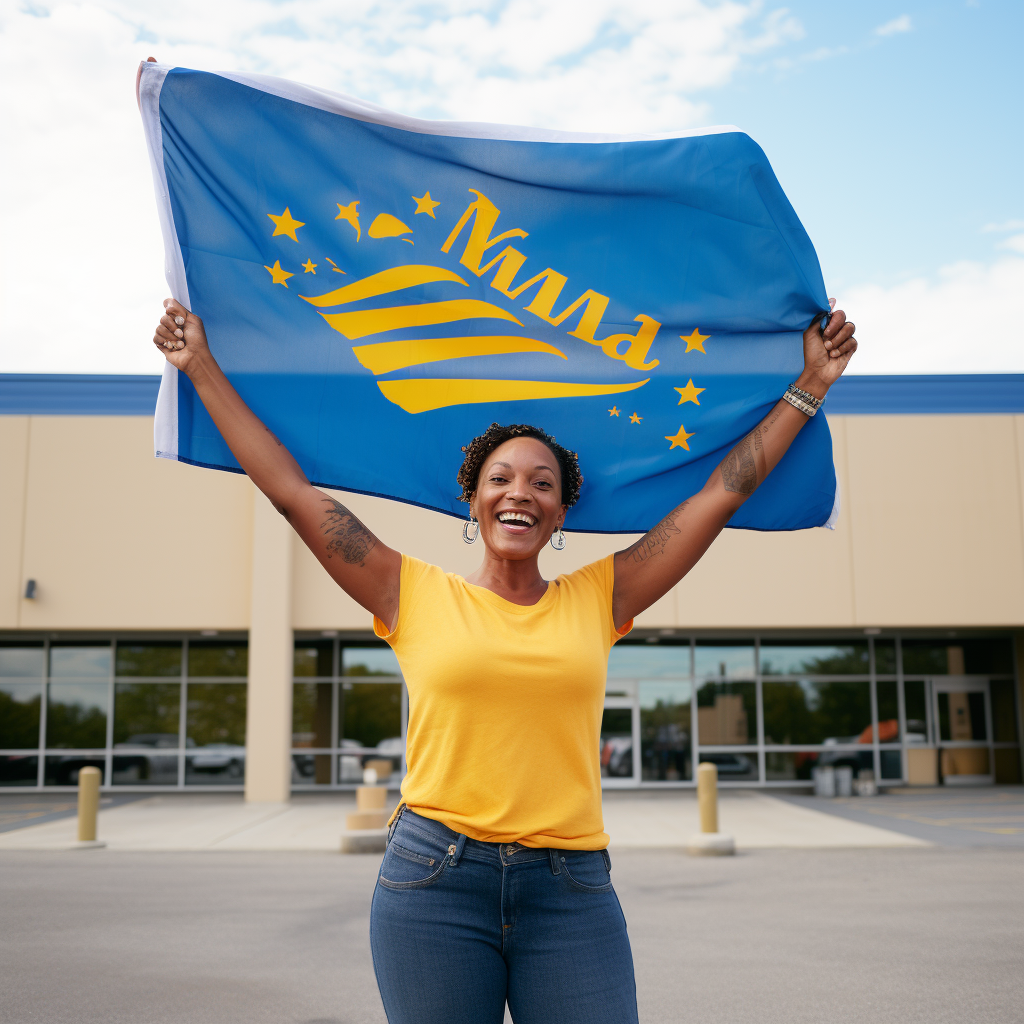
point(931, 535)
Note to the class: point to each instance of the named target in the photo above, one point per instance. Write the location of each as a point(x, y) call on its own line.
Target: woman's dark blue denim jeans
point(459, 927)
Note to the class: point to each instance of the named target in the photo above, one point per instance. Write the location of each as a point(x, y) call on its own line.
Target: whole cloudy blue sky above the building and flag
point(894, 127)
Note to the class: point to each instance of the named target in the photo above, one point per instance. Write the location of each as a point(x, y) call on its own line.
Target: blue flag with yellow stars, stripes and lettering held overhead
point(380, 289)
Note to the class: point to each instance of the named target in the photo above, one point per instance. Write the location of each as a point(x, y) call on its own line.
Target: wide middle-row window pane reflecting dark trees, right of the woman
point(807, 712)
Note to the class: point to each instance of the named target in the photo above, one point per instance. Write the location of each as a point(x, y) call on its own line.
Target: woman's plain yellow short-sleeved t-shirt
point(505, 705)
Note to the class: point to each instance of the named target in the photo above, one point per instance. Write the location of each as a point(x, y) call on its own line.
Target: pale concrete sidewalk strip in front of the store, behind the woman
point(315, 824)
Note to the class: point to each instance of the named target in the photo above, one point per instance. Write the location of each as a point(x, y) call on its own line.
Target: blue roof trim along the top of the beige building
point(122, 395)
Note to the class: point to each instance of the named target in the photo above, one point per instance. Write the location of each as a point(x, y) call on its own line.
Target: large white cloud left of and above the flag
point(81, 275)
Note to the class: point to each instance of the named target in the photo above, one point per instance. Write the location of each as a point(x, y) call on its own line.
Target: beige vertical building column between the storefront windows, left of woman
point(269, 710)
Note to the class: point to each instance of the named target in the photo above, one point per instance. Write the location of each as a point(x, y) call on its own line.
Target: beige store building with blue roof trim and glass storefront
point(163, 623)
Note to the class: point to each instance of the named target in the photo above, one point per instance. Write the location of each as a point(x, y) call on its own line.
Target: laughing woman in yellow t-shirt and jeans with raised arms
point(496, 882)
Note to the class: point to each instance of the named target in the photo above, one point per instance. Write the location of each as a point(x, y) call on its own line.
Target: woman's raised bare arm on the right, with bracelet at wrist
point(662, 558)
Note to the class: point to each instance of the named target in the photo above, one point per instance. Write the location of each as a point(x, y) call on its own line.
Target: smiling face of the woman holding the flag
point(519, 498)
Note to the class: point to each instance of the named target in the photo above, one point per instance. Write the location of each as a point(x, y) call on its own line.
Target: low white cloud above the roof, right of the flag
point(963, 320)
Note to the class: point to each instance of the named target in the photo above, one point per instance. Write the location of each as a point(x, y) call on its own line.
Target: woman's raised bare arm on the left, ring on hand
point(365, 569)
